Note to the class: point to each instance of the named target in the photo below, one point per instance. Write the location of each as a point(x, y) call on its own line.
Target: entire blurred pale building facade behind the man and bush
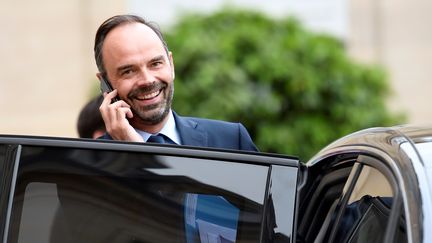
point(48, 67)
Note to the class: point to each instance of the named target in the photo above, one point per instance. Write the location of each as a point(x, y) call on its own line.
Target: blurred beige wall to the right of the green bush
point(397, 35)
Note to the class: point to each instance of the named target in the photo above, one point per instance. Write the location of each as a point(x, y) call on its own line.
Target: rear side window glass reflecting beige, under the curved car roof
point(367, 214)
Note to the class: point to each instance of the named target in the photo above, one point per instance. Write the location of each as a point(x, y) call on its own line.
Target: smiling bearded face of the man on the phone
point(138, 66)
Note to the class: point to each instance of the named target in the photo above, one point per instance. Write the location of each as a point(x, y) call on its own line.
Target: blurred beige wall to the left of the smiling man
point(47, 64)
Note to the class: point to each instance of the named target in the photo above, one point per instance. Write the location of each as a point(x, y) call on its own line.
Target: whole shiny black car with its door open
point(371, 186)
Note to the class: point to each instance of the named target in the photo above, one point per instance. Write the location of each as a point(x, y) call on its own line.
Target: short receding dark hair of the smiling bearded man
point(113, 22)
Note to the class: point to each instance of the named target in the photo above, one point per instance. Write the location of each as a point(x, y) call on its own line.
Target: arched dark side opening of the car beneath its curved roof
point(353, 200)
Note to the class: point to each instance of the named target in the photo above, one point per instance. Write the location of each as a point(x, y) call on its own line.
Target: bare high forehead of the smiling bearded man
point(131, 39)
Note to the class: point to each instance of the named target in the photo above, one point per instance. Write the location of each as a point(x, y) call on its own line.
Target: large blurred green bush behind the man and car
point(294, 90)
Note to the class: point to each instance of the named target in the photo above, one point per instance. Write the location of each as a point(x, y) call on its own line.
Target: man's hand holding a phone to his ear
point(115, 117)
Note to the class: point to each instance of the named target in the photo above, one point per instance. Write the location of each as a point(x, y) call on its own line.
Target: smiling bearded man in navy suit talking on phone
point(134, 59)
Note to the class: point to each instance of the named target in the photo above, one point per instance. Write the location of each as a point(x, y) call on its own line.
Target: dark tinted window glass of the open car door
point(78, 195)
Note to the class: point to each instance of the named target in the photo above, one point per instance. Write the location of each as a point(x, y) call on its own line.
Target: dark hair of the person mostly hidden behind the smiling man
point(90, 118)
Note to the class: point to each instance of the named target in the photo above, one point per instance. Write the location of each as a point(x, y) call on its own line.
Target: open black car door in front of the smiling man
point(70, 190)
